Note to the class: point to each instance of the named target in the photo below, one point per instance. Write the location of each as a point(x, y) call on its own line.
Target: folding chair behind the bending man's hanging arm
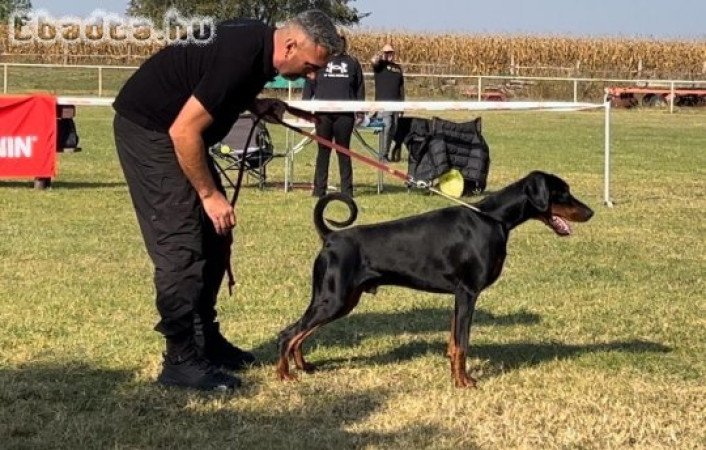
point(229, 153)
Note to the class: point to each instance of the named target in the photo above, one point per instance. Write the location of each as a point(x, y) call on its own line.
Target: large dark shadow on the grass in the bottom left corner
point(75, 405)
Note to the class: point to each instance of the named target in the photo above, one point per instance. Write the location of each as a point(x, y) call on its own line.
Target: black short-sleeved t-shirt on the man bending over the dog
point(225, 75)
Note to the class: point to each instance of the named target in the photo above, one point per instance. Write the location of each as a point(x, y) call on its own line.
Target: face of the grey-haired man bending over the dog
point(300, 57)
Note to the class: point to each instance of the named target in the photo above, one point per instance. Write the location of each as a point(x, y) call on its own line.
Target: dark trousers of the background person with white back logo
point(339, 128)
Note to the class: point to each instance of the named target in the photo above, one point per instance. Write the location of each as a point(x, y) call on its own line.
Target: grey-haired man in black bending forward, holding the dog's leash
point(178, 103)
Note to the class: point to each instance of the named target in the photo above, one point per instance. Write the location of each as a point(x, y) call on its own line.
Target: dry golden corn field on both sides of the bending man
point(454, 54)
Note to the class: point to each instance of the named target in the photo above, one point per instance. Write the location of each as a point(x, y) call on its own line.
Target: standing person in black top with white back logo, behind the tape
point(341, 79)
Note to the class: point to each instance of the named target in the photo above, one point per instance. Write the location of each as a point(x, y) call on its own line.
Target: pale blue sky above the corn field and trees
point(660, 19)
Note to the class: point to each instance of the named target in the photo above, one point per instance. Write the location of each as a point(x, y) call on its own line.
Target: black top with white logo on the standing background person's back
point(341, 79)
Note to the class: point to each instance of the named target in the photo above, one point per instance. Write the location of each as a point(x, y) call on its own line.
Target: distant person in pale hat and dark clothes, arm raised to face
point(389, 86)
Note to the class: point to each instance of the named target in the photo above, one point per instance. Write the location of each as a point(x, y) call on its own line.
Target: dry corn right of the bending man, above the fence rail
point(551, 55)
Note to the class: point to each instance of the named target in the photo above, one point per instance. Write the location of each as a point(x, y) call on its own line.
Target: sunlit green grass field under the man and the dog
point(596, 341)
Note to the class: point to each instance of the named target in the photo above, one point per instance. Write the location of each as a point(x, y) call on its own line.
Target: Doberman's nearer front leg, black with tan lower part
point(460, 332)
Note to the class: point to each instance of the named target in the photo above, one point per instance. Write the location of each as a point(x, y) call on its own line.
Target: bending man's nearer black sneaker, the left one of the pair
point(195, 373)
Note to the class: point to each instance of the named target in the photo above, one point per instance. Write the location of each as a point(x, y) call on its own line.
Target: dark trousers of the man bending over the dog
point(189, 257)
